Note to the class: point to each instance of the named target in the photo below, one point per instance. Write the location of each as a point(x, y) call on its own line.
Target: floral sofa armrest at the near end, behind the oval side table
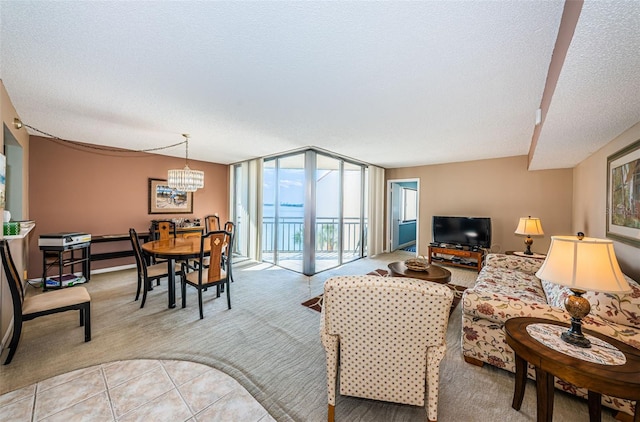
point(499, 308)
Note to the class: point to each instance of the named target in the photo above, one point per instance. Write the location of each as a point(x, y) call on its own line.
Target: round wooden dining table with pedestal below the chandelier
point(175, 249)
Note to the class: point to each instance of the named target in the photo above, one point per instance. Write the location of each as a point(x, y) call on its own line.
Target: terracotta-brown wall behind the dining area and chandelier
point(74, 188)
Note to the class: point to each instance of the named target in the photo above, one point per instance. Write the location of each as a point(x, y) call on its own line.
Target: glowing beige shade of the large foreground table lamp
point(585, 264)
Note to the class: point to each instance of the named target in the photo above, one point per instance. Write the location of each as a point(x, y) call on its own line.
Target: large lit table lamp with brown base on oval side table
point(581, 263)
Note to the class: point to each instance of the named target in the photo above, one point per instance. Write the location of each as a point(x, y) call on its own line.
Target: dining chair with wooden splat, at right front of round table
point(213, 275)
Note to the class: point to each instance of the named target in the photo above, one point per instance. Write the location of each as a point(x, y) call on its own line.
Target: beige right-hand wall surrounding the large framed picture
point(590, 199)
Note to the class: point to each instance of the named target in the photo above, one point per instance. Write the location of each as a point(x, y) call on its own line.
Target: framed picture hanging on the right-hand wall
point(623, 195)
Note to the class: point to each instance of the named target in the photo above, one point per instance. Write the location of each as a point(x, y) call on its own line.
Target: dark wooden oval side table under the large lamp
point(619, 377)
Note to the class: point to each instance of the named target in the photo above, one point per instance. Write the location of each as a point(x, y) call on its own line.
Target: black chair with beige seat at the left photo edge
point(26, 308)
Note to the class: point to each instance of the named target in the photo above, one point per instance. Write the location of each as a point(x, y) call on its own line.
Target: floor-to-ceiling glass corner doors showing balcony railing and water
point(313, 213)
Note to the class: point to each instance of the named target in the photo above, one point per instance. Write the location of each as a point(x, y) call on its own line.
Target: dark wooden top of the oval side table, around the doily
point(615, 380)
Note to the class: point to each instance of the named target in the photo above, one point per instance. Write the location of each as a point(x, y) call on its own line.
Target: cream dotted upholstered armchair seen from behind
point(387, 335)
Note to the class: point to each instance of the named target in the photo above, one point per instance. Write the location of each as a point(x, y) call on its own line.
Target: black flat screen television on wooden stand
point(462, 231)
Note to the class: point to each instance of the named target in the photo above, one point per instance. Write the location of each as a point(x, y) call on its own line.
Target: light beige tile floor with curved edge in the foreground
point(135, 390)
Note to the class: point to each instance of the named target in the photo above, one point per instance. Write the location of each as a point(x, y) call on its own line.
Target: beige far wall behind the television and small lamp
point(502, 189)
